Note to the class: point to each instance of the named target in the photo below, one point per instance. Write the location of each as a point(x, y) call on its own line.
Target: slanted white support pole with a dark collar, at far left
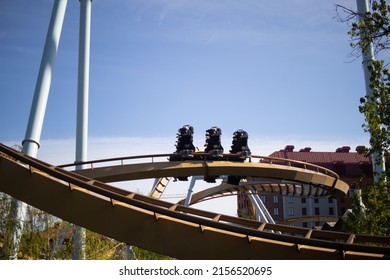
point(37, 113)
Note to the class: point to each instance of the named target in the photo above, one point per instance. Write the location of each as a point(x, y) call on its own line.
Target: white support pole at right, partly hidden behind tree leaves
point(368, 57)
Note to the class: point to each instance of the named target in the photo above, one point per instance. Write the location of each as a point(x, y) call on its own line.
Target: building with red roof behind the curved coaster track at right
point(354, 168)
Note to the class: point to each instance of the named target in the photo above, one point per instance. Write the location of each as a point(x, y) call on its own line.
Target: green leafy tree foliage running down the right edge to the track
point(371, 208)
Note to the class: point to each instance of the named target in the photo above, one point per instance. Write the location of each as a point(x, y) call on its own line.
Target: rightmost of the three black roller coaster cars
point(239, 147)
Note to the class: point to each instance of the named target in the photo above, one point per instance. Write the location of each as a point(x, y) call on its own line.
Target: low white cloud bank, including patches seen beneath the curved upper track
point(61, 151)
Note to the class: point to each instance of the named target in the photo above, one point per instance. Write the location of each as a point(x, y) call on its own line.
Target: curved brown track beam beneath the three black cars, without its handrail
point(302, 182)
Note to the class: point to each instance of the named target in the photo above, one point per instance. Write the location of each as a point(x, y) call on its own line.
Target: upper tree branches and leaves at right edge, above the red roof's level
point(373, 30)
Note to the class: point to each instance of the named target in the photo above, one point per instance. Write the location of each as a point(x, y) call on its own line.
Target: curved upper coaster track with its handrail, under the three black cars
point(287, 177)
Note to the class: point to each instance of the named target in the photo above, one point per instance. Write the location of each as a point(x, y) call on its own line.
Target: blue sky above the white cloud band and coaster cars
point(278, 69)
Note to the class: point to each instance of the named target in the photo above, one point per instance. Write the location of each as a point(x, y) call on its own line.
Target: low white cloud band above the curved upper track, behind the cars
point(62, 151)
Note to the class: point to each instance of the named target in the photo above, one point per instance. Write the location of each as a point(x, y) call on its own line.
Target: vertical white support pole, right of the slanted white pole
point(82, 109)
